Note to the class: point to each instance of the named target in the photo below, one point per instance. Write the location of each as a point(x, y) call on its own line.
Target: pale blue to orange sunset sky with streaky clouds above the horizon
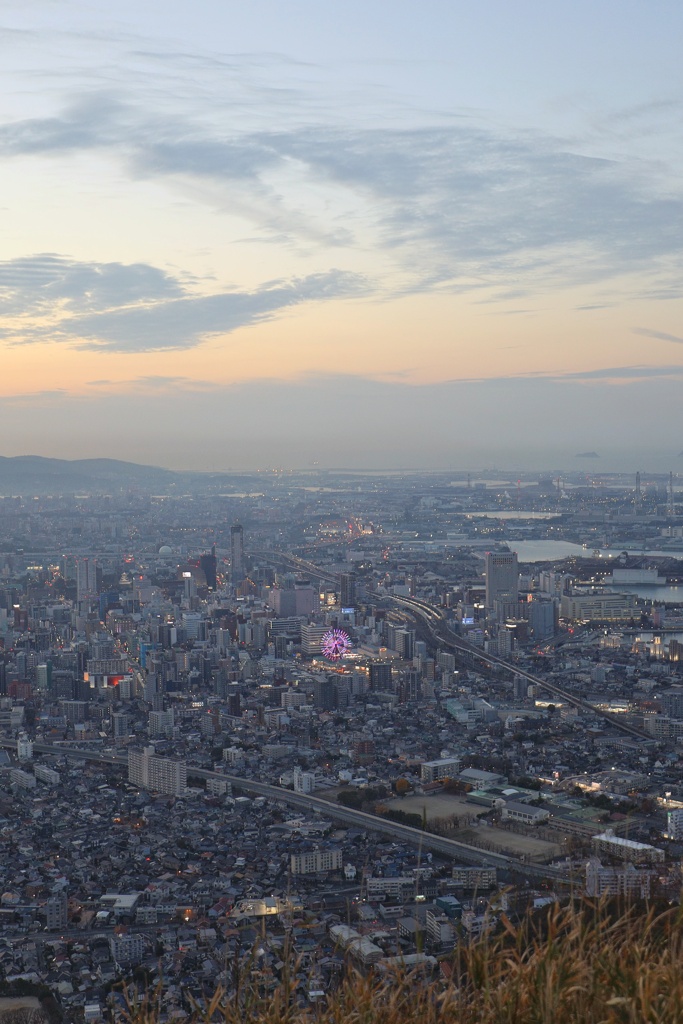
point(288, 234)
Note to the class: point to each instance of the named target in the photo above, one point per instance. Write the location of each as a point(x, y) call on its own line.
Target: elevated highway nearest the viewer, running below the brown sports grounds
point(413, 837)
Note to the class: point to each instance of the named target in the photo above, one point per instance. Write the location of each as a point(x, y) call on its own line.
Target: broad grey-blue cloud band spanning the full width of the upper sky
point(453, 206)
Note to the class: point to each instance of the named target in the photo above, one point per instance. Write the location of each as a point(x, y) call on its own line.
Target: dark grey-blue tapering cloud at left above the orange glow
point(140, 309)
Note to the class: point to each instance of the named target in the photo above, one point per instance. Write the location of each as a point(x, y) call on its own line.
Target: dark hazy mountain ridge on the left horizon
point(33, 475)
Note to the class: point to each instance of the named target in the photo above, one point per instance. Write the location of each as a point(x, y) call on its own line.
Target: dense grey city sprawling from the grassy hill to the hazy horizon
point(354, 717)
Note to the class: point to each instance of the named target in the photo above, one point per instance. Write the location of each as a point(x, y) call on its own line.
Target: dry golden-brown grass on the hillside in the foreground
point(575, 966)
